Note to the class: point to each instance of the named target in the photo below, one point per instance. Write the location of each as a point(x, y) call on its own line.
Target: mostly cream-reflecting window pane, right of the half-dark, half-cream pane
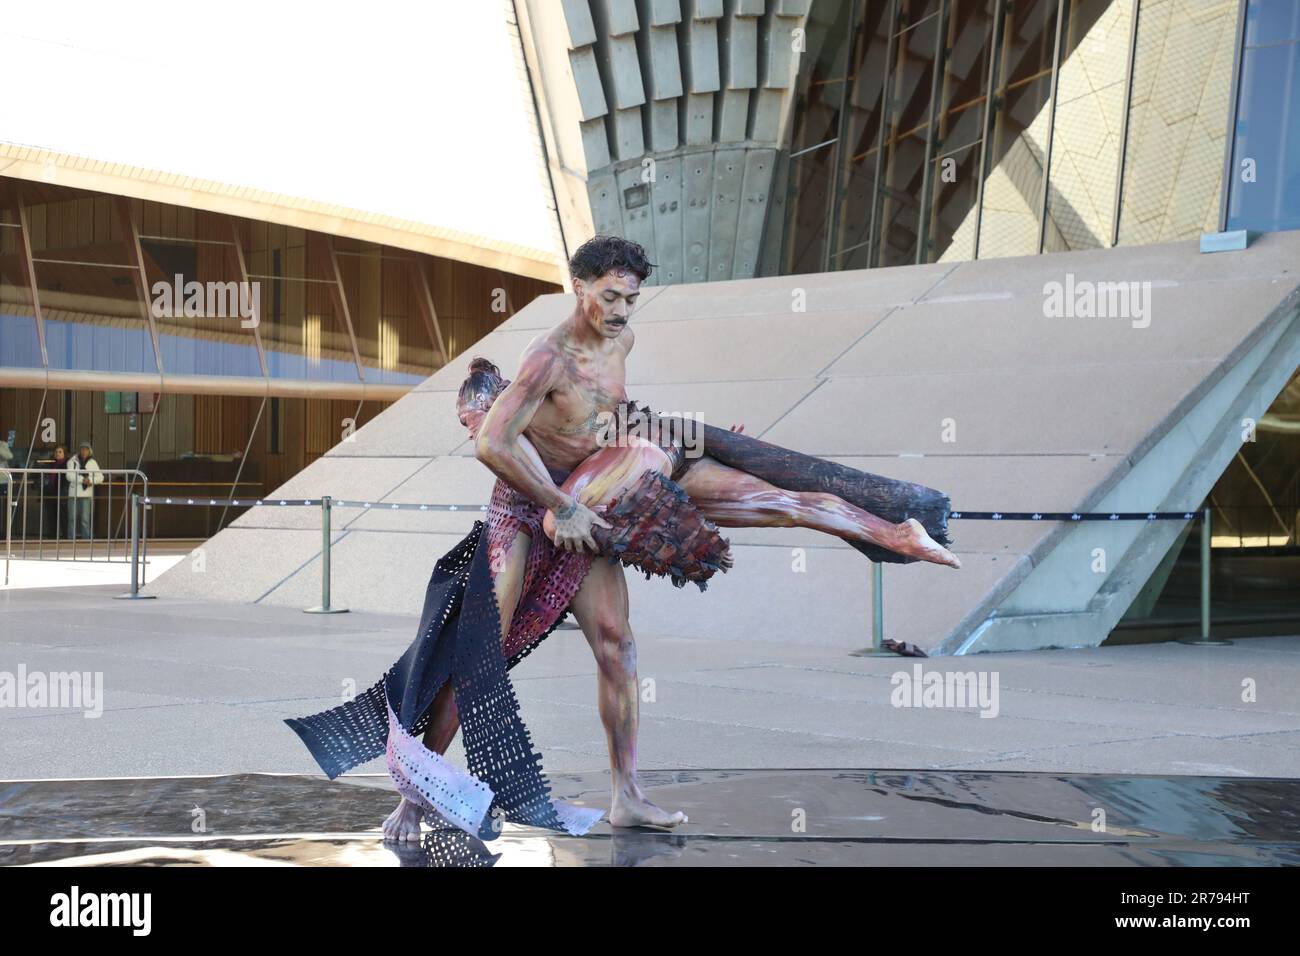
point(1089, 126)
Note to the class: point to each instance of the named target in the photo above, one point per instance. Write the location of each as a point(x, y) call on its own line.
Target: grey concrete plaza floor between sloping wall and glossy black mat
point(202, 689)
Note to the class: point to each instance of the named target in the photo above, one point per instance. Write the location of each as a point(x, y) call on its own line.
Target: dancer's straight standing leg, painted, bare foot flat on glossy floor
point(601, 608)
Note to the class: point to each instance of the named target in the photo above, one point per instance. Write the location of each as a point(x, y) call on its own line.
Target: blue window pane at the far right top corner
point(1266, 188)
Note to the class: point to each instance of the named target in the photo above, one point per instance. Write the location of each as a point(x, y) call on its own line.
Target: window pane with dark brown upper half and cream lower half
point(1013, 178)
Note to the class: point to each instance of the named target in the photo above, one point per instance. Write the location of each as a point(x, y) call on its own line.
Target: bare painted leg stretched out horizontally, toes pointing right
point(734, 499)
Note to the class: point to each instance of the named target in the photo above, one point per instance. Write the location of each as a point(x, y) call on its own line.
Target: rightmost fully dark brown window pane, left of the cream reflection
point(911, 88)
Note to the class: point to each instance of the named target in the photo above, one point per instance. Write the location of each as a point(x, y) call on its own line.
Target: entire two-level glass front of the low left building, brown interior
point(180, 322)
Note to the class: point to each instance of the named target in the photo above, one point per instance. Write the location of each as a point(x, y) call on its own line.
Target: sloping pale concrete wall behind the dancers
point(944, 374)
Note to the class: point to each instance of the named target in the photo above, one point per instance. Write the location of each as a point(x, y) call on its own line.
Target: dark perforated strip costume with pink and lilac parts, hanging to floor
point(460, 639)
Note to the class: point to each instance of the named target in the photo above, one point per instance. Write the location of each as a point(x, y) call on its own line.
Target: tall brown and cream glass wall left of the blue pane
point(937, 131)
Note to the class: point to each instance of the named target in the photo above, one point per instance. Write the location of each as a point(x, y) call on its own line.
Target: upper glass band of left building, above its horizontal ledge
point(145, 288)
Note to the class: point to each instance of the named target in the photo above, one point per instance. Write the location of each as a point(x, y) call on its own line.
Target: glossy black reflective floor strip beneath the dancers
point(738, 819)
